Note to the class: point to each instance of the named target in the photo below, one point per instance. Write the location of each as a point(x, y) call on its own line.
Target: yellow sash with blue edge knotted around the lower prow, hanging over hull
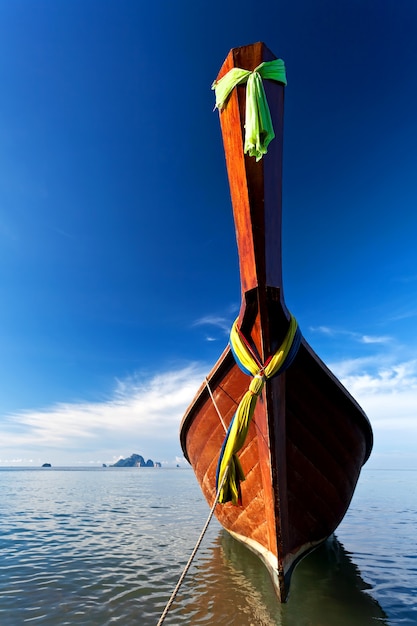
point(239, 426)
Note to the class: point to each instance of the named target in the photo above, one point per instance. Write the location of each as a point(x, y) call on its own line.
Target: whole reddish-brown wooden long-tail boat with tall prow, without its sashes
point(308, 438)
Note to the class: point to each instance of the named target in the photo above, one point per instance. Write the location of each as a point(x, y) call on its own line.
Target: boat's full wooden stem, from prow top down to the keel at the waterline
point(257, 202)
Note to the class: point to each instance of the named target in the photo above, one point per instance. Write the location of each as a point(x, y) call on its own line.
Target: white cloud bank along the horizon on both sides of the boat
point(142, 414)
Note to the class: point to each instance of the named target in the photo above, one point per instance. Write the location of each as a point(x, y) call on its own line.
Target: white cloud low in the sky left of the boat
point(141, 415)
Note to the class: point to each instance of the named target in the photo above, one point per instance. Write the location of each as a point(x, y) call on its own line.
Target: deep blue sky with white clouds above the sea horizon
point(118, 267)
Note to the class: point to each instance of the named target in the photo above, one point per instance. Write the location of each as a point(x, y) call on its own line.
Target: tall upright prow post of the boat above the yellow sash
point(255, 189)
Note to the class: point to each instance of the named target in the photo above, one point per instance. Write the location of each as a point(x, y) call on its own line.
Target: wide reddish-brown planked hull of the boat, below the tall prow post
point(301, 462)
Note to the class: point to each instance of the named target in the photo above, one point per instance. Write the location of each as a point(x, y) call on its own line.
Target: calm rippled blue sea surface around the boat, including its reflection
point(106, 546)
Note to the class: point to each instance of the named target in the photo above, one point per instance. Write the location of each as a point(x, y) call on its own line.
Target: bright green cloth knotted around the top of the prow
point(259, 131)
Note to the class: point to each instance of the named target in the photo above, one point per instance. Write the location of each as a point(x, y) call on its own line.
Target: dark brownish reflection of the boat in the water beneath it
point(231, 586)
